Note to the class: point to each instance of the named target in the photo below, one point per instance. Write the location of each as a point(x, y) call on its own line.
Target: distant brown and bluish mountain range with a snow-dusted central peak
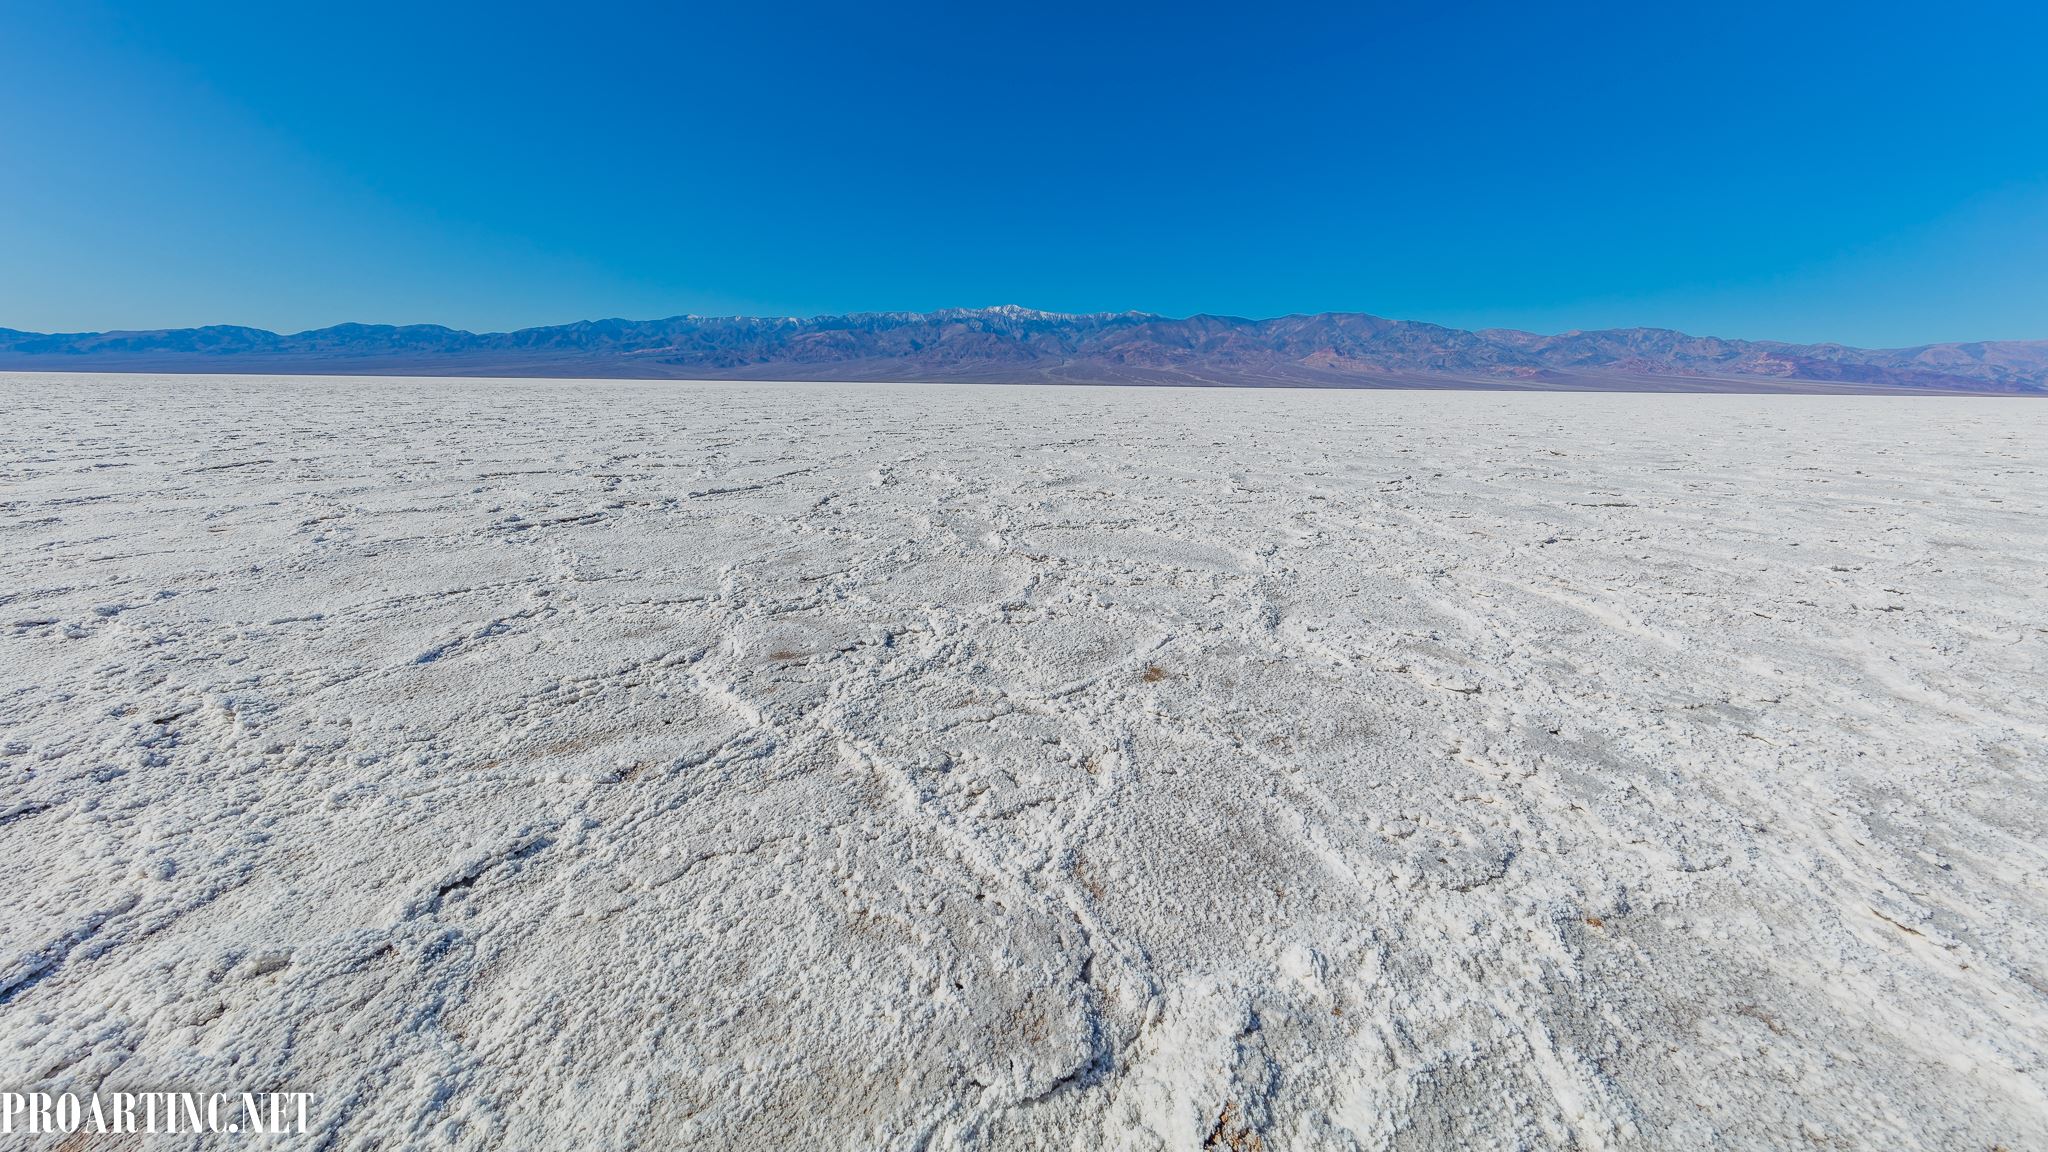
point(1017, 345)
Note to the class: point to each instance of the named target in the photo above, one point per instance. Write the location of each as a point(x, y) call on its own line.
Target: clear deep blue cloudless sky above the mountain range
point(1865, 173)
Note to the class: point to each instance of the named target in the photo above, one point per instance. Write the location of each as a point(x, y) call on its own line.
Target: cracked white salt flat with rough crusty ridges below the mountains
point(650, 766)
